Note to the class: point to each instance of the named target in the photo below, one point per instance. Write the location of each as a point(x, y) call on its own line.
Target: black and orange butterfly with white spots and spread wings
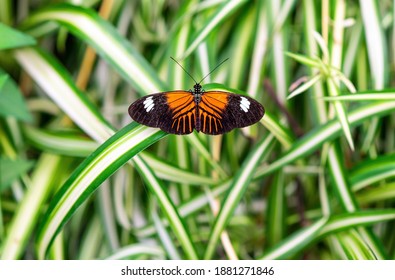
point(182, 111)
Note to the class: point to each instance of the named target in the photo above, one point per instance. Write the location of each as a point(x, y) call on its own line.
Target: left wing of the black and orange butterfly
point(173, 111)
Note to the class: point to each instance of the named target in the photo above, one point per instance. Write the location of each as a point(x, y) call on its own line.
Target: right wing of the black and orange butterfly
point(220, 112)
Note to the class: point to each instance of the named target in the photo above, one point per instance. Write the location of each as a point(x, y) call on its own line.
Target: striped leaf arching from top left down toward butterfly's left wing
point(105, 39)
